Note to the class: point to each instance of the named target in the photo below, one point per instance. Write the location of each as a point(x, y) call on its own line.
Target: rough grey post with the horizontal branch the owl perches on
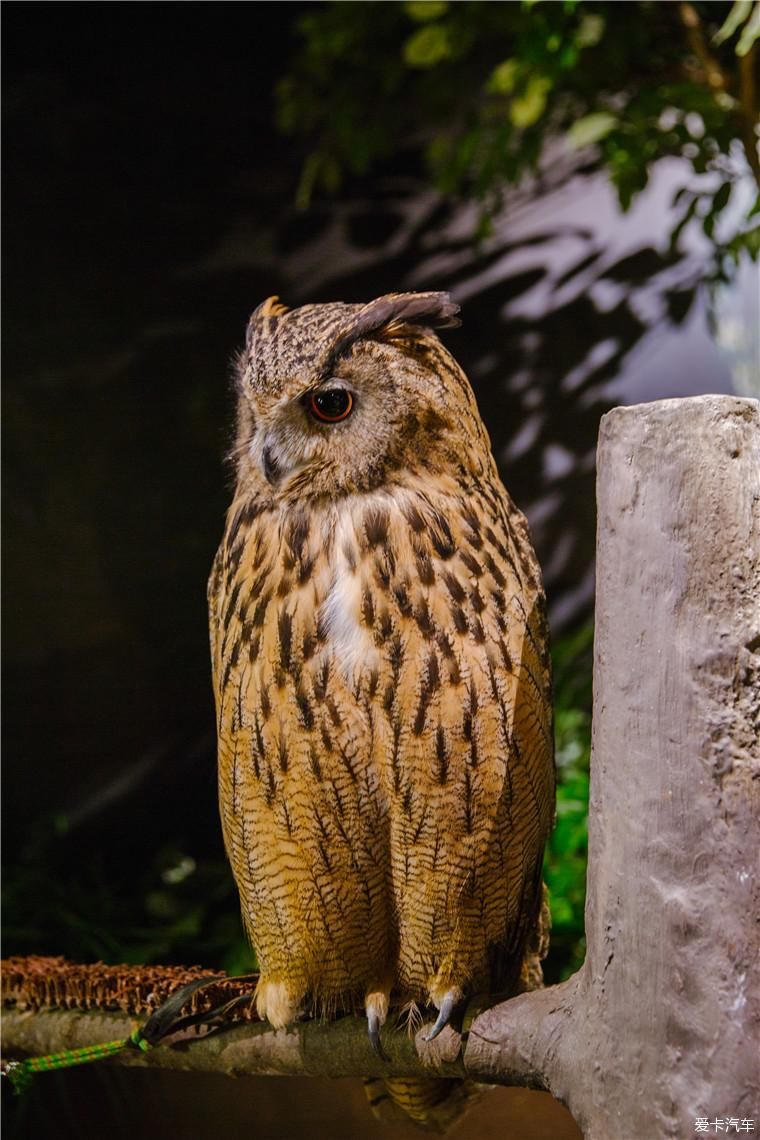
point(657, 1029)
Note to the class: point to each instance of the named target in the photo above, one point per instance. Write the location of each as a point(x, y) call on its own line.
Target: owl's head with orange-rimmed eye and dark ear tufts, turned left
point(342, 398)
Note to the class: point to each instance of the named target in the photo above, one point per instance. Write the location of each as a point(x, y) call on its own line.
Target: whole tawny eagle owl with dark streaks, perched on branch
point(381, 671)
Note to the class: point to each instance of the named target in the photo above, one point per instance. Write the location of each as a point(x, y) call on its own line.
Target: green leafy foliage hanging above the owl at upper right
point(487, 93)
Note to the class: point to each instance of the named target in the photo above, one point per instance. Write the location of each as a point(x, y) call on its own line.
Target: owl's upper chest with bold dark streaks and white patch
point(354, 593)
